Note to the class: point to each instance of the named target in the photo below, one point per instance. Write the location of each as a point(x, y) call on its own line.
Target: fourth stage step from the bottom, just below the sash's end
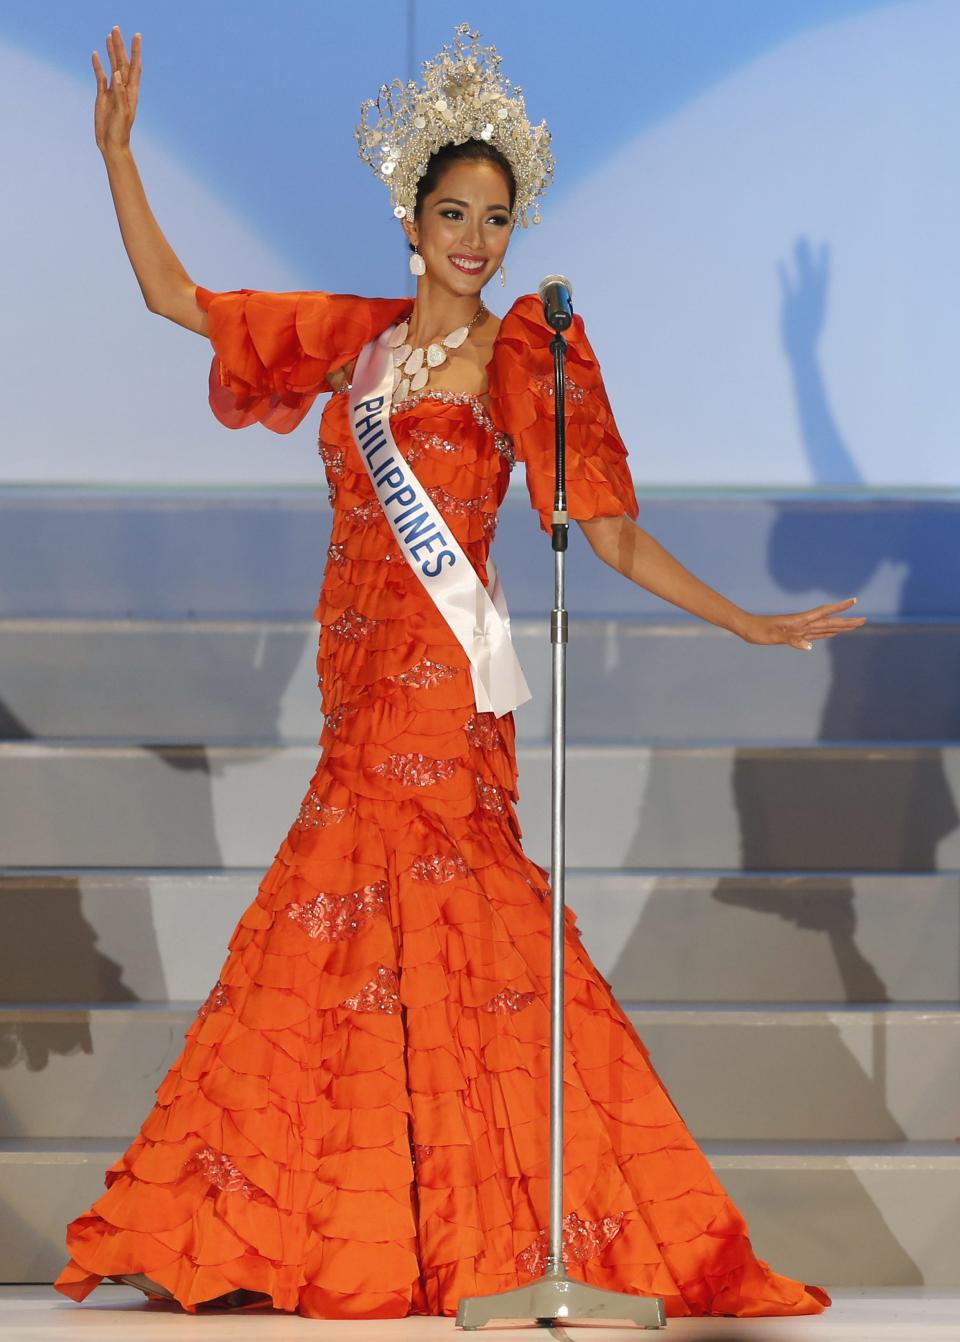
point(853, 809)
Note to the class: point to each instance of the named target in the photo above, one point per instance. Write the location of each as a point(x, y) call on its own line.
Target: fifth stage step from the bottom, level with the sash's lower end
point(629, 680)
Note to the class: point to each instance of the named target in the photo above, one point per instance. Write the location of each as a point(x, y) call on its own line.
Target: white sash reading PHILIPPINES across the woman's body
point(480, 625)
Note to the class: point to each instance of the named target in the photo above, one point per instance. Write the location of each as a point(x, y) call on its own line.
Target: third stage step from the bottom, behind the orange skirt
point(119, 936)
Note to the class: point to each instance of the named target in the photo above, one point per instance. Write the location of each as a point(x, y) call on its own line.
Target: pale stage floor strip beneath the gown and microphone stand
point(119, 1314)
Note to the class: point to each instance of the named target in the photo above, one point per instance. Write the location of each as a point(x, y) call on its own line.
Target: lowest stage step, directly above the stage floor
point(859, 1217)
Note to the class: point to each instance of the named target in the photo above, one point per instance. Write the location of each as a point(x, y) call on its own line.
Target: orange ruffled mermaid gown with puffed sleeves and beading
point(358, 1123)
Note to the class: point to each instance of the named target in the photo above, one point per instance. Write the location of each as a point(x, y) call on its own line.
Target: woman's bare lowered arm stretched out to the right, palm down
point(634, 554)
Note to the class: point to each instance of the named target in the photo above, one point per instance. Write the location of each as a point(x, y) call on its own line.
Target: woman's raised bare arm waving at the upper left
point(166, 287)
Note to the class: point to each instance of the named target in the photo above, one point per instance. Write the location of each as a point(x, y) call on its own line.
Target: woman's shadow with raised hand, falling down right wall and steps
point(816, 818)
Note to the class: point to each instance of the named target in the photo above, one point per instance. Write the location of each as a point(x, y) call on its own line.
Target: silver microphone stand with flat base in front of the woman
point(554, 1297)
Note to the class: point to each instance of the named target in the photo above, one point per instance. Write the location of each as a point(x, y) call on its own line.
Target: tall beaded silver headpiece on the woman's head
point(464, 97)
